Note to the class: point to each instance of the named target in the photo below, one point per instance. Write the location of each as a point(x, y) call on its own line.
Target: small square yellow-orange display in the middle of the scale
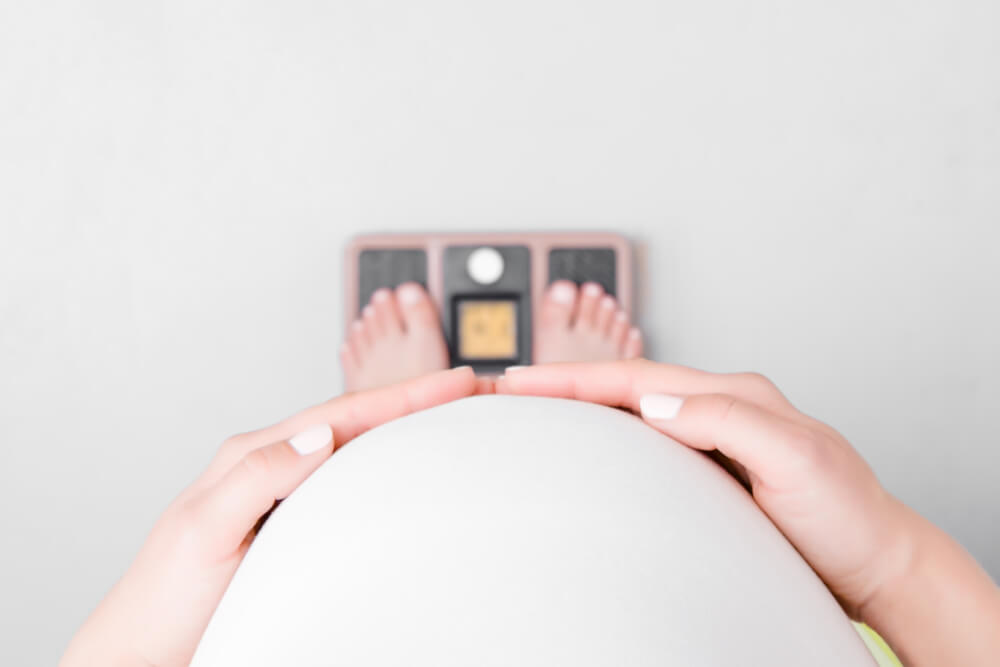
point(487, 329)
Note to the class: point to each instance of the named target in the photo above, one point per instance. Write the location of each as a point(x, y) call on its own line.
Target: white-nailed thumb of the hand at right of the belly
point(773, 449)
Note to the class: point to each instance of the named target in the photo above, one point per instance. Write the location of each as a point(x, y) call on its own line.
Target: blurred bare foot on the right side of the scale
point(583, 324)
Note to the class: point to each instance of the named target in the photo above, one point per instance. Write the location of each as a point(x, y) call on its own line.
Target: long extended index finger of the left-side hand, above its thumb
point(352, 414)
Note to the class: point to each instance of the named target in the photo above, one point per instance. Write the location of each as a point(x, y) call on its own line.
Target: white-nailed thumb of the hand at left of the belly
point(228, 510)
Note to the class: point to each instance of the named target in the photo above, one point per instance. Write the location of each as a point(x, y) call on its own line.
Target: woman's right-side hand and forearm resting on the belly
point(886, 565)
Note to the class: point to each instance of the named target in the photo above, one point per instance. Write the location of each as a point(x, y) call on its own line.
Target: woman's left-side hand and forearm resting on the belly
point(158, 611)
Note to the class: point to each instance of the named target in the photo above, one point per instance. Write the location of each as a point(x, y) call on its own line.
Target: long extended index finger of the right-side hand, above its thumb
point(623, 383)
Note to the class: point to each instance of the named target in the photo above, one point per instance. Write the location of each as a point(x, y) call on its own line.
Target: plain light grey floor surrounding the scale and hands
point(814, 187)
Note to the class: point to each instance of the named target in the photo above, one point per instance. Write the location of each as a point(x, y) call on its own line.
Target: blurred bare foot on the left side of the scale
point(398, 336)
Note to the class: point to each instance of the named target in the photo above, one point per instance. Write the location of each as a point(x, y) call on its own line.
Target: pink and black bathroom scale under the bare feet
point(487, 287)
